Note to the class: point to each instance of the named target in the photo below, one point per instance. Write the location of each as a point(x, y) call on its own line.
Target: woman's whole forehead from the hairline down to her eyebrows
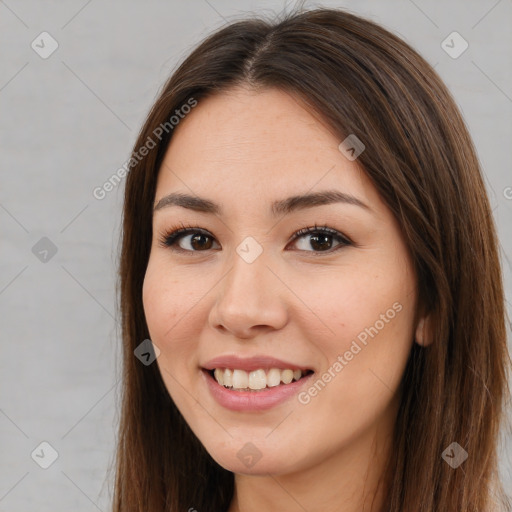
point(263, 144)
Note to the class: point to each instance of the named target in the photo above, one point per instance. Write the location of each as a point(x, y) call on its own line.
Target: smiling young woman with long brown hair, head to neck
point(308, 244)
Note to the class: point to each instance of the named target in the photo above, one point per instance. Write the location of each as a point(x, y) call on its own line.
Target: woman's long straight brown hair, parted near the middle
point(360, 79)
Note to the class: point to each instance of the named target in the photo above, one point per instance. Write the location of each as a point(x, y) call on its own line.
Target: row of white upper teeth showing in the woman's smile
point(257, 379)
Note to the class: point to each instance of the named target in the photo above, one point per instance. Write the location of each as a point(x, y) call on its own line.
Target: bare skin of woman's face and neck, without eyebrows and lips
point(245, 149)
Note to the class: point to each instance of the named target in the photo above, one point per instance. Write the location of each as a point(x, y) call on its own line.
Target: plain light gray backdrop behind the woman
point(68, 123)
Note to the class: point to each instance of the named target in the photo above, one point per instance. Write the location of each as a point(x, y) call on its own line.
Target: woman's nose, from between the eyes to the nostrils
point(250, 299)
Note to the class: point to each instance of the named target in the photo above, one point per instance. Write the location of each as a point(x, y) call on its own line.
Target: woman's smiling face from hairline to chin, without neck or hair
point(243, 284)
